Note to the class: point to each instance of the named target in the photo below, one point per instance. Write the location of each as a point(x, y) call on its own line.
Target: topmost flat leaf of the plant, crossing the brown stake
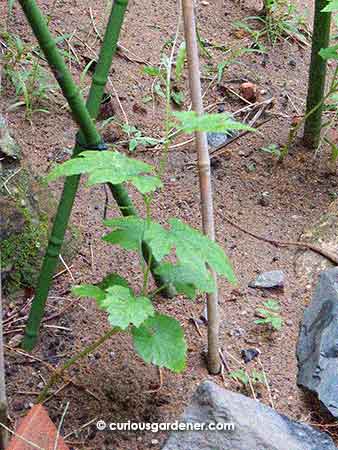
point(190, 122)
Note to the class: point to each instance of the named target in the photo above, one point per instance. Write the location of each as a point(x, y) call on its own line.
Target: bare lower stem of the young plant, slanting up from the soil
point(85, 352)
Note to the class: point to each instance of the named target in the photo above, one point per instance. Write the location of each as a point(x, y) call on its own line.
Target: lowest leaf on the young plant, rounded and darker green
point(160, 341)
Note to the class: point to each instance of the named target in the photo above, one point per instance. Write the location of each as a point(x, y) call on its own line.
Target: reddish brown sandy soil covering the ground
point(114, 384)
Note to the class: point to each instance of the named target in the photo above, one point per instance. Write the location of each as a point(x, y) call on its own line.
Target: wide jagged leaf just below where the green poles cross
point(108, 167)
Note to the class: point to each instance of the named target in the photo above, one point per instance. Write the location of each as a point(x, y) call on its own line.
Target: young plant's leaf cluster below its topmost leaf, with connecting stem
point(157, 338)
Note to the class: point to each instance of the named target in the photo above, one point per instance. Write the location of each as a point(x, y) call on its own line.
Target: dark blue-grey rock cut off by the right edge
point(317, 350)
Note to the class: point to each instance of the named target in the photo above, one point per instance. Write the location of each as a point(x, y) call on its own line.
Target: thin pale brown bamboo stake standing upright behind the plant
point(214, 364)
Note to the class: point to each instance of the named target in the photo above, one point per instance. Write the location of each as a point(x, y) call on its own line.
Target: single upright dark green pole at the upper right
point(317, 75)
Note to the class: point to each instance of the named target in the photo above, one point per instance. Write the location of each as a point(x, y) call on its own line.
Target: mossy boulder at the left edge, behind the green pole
point(26, 207)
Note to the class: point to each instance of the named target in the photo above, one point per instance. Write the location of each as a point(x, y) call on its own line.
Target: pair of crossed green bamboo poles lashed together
point(88, 137)
